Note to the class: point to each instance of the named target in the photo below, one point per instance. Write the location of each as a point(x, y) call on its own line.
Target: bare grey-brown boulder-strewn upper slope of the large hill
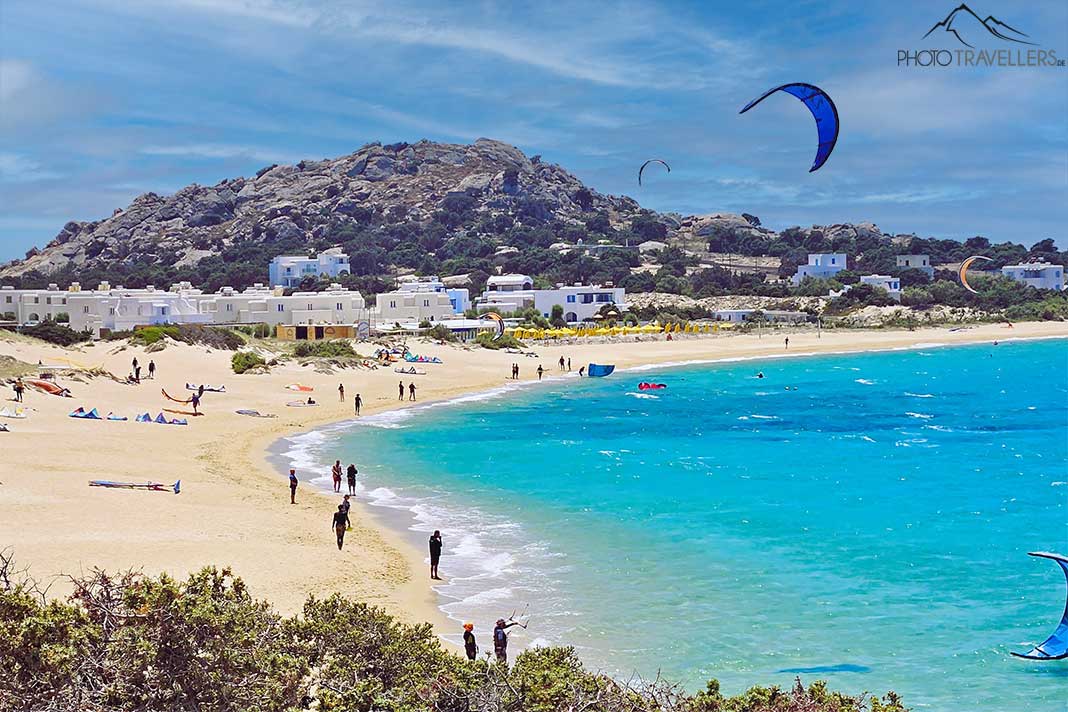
point(401, 183)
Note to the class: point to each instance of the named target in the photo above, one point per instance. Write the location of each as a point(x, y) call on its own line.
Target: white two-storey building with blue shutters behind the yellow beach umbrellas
point(514, 293)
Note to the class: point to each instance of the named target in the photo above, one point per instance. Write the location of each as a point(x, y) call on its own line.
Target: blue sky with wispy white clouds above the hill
point(102, 101)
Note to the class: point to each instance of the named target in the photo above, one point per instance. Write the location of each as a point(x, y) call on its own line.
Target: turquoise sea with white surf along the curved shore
point(858, 518)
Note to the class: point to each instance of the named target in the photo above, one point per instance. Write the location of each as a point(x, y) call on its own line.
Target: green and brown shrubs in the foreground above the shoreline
point(132, 642)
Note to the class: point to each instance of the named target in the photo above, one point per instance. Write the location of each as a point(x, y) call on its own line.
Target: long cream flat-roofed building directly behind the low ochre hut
point(261, 305)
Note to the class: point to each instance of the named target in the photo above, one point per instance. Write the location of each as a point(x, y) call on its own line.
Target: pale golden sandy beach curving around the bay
point(234, 509)
